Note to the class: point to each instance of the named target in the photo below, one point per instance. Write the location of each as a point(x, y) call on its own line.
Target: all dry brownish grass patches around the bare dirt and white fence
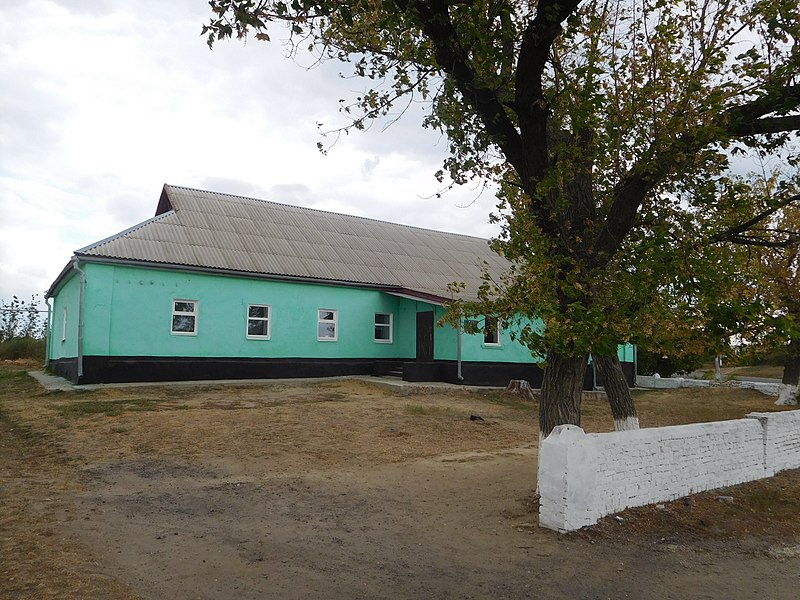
point(45, 439)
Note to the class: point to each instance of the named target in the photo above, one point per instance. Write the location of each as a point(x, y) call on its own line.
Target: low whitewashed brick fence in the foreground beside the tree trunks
point(583, 477)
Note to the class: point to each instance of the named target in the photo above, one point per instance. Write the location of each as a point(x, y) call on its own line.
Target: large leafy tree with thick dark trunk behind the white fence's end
point(598, 120)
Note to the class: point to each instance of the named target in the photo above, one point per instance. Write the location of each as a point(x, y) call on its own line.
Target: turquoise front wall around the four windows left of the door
point(129, 312)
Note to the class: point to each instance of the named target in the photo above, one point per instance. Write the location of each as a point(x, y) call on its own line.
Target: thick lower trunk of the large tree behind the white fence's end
point(562, 386)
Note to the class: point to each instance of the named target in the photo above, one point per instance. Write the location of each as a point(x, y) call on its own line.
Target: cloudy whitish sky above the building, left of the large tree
point(104, 101)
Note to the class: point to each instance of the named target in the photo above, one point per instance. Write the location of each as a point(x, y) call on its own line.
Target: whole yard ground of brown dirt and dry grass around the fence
point(342, 490)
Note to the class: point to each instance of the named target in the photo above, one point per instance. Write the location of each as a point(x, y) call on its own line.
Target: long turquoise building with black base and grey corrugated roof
point(217, 286)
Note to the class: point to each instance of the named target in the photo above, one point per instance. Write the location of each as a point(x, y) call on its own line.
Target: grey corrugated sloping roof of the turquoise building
point(233, 233)
